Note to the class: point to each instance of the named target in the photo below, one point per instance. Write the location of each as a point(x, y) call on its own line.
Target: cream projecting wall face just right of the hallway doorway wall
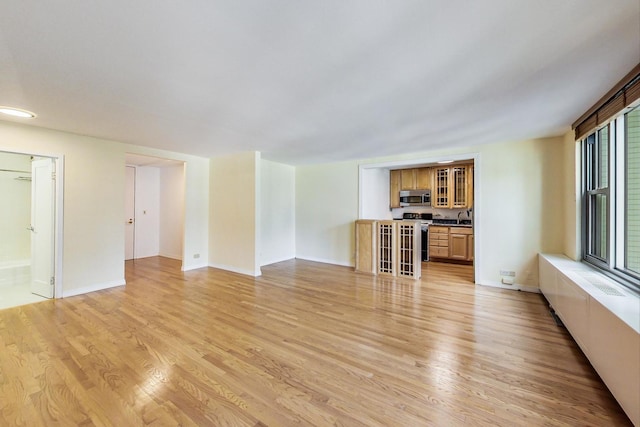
point(234, 235)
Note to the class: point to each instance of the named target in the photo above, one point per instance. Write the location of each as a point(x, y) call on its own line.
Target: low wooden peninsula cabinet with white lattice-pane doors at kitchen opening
point(389, 248)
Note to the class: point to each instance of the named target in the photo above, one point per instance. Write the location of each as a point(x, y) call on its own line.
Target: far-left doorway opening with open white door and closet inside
point(30, 219)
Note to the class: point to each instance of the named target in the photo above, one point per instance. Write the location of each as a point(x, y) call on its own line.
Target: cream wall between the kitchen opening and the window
point(522, 208)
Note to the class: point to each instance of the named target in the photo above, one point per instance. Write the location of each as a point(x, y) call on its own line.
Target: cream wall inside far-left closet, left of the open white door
point(15, 208)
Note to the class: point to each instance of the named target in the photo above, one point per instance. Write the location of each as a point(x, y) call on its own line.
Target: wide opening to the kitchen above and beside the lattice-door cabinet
point(449, 215)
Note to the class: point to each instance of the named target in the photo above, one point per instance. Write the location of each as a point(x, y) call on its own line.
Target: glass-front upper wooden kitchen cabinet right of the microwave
point(453, 187)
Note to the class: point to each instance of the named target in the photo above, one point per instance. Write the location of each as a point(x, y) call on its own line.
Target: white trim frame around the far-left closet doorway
point(58, 235)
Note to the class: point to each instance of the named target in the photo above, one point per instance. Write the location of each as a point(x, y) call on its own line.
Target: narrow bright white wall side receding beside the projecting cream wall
point(277, 212)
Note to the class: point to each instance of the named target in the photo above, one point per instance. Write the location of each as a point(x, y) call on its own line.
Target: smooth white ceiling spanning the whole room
point(313, 81)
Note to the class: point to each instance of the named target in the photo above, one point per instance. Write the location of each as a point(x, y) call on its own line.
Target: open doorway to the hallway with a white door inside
point(154, 207)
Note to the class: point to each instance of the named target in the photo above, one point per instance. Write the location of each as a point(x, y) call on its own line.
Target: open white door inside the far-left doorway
point(42, 227)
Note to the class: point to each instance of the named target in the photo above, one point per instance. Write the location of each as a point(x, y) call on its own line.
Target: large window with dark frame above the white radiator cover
point(611, 201)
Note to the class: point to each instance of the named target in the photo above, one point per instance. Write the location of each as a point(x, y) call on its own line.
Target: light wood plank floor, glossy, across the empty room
point(305, 344)
